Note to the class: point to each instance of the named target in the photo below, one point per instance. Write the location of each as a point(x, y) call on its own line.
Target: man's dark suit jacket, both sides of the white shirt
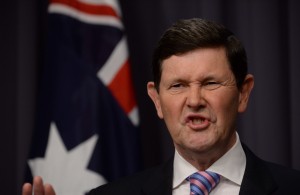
point(260, 178)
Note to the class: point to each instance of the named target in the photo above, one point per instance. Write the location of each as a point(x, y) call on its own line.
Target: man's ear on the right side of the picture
point(245, 91)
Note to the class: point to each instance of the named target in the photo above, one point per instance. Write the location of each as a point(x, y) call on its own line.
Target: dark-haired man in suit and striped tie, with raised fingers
point(200, 85)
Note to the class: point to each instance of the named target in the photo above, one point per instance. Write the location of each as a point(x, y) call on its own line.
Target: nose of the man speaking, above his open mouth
point(195, 97)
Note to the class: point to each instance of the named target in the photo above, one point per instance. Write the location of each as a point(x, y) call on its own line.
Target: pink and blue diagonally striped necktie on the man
point(202, 182)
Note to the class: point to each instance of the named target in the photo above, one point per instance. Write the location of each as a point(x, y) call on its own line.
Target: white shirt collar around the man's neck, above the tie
point(231, 165)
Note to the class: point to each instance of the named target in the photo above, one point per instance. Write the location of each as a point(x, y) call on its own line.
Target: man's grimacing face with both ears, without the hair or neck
point(199, 100)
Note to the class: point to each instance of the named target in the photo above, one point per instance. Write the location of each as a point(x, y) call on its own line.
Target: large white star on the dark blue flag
point(67, 170)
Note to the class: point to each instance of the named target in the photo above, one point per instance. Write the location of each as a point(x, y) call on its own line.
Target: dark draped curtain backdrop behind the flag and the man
point(269, 29)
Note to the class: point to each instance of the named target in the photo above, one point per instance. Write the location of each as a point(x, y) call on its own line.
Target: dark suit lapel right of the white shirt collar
point(257, 178)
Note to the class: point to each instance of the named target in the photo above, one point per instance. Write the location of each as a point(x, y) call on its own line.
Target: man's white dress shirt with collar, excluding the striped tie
point(231, 167)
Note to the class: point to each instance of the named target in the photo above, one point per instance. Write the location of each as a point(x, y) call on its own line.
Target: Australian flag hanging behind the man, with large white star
point(87, 123)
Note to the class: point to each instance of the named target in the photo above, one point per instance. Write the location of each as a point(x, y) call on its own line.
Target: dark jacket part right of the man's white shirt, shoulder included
point(263, 177)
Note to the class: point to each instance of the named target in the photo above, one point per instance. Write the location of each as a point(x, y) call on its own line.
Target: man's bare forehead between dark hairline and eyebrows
point(201, 61)
